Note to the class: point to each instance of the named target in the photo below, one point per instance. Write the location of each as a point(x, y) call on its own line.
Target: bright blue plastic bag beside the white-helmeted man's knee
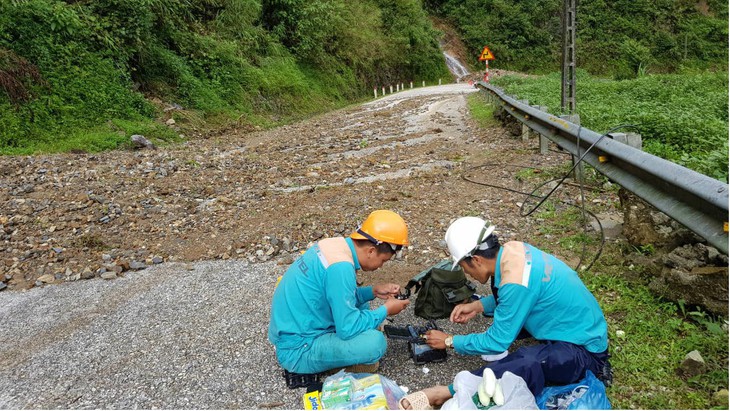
point(587, 394)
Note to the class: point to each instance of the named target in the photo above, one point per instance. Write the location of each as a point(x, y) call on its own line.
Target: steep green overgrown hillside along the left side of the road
point(85, 74)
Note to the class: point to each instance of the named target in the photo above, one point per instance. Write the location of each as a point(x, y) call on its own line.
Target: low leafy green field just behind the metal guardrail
point(682, 118)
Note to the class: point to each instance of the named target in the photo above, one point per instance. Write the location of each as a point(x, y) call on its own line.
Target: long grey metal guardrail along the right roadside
point(695, 200)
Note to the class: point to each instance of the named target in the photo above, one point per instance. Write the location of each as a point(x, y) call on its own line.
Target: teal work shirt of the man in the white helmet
point(551, 303)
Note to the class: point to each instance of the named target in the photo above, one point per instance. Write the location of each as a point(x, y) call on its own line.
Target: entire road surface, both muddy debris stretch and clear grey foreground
point(218, 220)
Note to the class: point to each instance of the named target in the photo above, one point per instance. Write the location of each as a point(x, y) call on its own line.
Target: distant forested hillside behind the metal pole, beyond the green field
point(616, 37)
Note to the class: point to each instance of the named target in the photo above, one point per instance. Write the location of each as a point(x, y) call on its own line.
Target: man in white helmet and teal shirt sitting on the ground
point(533, 294)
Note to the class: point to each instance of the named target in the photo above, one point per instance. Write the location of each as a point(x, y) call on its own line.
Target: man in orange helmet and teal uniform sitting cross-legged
point(320, 319)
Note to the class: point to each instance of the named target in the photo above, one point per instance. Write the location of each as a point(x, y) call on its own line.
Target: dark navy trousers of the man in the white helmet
point(548, 363)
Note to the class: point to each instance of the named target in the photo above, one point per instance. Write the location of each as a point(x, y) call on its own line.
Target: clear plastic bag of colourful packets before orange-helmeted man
point(348, 391)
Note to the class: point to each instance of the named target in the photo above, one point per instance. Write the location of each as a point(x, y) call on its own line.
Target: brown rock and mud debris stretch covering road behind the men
point(256, 196)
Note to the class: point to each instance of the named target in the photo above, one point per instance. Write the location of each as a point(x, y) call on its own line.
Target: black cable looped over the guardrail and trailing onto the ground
point(562, 181)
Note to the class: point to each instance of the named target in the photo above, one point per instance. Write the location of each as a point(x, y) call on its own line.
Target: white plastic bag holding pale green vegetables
point(516, 394)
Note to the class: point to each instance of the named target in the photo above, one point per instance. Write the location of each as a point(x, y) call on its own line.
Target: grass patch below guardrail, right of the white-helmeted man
point(649, 339)
